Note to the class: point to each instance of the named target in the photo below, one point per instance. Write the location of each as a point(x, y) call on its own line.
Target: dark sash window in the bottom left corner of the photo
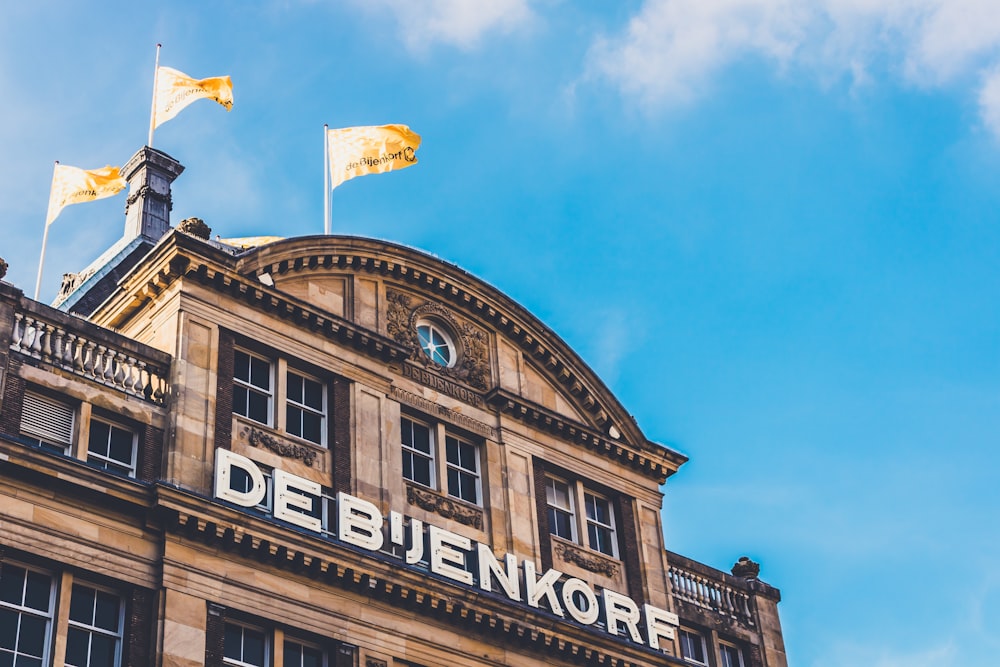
point(26, 605)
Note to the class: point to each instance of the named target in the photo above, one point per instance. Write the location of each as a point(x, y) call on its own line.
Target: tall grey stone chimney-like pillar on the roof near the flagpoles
point(147, 211)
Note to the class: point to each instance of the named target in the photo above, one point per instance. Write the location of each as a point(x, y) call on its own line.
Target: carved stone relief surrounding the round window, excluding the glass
point(473, 364)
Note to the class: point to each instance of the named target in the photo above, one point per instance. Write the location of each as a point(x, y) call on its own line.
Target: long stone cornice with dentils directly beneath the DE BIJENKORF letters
point(381, 579)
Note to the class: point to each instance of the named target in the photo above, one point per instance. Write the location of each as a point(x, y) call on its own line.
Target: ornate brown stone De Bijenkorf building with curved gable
point(329, 451)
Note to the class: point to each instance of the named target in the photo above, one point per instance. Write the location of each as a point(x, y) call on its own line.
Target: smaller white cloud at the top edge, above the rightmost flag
point(460, 23)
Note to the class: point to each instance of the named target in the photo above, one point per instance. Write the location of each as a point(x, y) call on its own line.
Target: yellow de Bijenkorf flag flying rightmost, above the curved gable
point(371, 149)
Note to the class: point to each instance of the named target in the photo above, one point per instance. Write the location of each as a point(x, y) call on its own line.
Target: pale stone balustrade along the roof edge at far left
point(98, 360)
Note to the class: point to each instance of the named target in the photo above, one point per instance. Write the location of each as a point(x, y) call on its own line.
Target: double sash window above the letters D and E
point(256, 390)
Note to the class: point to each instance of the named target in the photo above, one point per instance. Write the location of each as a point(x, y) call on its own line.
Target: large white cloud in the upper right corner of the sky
point(672, 49)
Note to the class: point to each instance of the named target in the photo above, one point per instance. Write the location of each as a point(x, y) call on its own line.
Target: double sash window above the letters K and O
point(562, 497)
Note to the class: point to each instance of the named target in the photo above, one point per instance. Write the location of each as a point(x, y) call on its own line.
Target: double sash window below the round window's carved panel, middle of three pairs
point(460, 468)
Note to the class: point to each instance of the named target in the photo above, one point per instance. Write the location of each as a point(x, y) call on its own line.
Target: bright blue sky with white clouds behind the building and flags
point(772, 227)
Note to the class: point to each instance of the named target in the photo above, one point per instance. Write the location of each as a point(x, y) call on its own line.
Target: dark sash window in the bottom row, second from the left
point(94, 636)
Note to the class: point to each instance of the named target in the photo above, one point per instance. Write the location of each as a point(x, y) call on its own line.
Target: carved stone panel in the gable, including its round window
point(438, 340)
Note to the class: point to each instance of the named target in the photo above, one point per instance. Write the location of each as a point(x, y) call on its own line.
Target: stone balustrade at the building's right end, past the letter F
point(710, 590)
